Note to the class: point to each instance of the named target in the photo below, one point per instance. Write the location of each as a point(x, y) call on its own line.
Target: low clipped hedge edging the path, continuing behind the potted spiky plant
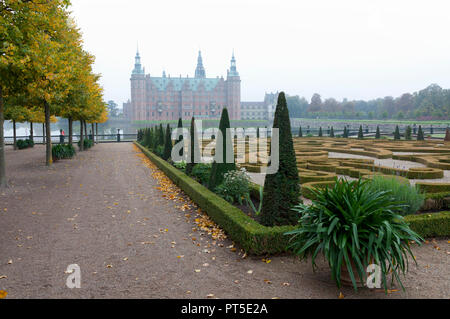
point(255, 238)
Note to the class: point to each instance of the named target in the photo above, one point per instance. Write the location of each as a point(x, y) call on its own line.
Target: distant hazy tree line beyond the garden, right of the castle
point(430, 103)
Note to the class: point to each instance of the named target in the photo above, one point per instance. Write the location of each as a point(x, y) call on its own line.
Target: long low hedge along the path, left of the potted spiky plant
point(253, 237)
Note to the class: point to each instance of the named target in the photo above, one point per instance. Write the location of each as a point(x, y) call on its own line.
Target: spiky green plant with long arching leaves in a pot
point(354, 226)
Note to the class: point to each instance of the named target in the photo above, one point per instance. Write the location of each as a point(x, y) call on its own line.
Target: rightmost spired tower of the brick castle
point(233, 91)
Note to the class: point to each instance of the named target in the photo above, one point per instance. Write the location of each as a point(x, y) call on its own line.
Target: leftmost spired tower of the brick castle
point(138, 90)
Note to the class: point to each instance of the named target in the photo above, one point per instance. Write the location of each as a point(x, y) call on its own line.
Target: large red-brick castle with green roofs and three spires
point(169, 98)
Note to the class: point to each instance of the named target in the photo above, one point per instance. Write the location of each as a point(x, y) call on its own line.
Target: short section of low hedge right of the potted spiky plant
point(430, 225)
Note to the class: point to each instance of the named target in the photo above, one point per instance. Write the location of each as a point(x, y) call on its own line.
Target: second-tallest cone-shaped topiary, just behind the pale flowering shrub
point(220, 165)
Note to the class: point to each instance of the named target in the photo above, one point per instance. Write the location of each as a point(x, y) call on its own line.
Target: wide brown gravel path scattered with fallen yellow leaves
point(103, 211)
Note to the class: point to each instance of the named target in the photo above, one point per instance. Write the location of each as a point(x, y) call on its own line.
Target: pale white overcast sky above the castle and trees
point(353, 49)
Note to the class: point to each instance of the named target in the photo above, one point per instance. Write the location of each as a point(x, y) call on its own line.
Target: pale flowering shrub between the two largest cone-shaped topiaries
point(235, 186)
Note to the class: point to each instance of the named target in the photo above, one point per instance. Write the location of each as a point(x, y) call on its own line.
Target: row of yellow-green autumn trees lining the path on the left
point(44, 70)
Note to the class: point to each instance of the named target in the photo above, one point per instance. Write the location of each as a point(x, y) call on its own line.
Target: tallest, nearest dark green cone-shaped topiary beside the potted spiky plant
point(282, 189)
